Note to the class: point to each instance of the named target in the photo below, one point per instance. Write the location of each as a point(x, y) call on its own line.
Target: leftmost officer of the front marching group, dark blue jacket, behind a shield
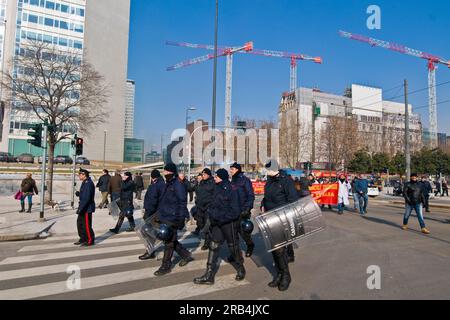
point(152, 200)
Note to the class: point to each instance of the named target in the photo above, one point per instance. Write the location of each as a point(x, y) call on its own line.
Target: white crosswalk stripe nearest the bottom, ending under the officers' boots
point(184, 290)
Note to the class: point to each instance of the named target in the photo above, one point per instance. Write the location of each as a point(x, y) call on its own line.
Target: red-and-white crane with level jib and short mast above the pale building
point(293, 57)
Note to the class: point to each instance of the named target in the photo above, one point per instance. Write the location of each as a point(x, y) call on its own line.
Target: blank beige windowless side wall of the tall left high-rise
point(106, 42)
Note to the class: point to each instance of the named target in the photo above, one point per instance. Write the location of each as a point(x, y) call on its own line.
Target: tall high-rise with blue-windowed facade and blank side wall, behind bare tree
point(98, 30)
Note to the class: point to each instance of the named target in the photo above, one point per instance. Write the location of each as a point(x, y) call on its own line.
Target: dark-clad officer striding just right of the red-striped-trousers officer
point(126, 203)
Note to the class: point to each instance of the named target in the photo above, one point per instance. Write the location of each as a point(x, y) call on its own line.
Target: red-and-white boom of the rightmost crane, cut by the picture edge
point(395, 47)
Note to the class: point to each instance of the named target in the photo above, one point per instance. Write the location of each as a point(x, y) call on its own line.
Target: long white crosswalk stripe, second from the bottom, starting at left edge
point(60, 287)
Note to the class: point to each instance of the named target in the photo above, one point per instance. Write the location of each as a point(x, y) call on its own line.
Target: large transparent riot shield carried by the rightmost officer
point(290, 223)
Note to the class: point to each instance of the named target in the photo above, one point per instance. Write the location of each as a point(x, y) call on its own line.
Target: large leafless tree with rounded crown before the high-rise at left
point(60, 88)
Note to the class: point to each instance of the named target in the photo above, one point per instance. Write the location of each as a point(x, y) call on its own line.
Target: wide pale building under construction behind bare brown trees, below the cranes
point(322, 127)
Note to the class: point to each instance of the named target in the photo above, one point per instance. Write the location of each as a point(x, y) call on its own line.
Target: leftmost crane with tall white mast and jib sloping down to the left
point(228, 52)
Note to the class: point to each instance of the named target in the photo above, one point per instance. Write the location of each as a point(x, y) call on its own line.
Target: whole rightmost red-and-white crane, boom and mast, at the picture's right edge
point(432, 62)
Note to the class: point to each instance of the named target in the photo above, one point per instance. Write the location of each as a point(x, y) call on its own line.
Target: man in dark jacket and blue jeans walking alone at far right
point(413, 195)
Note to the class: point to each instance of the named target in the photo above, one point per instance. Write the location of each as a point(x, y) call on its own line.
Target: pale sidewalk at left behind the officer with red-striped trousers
point(15, 226)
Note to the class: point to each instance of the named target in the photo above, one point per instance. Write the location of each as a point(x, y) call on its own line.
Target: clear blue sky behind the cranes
point(309, 27)
